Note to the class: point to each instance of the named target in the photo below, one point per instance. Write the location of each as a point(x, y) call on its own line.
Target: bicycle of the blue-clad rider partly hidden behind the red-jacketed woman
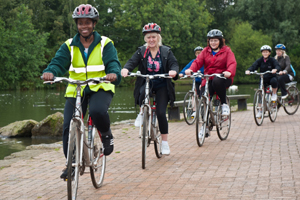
point(190, 102)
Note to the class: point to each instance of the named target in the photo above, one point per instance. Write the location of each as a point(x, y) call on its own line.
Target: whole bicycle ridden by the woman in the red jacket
point(209, 115)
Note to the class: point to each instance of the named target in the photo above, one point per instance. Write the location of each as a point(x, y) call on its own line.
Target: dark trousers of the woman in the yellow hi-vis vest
point(98, 106)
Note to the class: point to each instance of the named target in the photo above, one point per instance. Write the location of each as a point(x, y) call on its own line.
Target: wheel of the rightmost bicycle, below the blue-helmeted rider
point(292, 101)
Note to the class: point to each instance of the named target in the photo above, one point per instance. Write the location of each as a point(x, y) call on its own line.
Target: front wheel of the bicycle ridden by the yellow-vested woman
point(73, 157)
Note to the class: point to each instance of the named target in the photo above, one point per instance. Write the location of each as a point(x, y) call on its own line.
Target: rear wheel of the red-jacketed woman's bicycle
point(223, 122)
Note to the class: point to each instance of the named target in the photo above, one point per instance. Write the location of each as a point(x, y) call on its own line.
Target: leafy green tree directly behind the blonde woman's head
point(184, 26)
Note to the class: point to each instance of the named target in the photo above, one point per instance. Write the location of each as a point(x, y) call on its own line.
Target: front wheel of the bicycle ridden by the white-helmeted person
point(258, 104)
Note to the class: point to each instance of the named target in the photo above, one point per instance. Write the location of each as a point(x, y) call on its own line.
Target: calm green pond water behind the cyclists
point(38, 104)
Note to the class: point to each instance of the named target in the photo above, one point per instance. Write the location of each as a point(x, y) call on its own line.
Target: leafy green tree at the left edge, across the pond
point(23, 50)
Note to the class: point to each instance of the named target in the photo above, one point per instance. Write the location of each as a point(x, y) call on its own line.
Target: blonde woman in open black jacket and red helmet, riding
point(154, 58)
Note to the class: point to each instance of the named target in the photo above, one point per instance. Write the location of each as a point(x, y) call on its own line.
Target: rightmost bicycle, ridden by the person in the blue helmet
point(291, 103)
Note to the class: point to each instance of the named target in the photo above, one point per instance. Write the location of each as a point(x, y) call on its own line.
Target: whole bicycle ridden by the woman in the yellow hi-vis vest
point(83, 151)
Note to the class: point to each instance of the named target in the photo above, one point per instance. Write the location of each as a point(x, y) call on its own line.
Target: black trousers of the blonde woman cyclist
point(162, 100)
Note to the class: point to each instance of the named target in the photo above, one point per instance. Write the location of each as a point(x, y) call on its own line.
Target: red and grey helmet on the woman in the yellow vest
point(85, 11)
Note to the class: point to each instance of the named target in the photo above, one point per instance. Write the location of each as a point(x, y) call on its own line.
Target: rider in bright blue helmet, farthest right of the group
point(286, 73)
